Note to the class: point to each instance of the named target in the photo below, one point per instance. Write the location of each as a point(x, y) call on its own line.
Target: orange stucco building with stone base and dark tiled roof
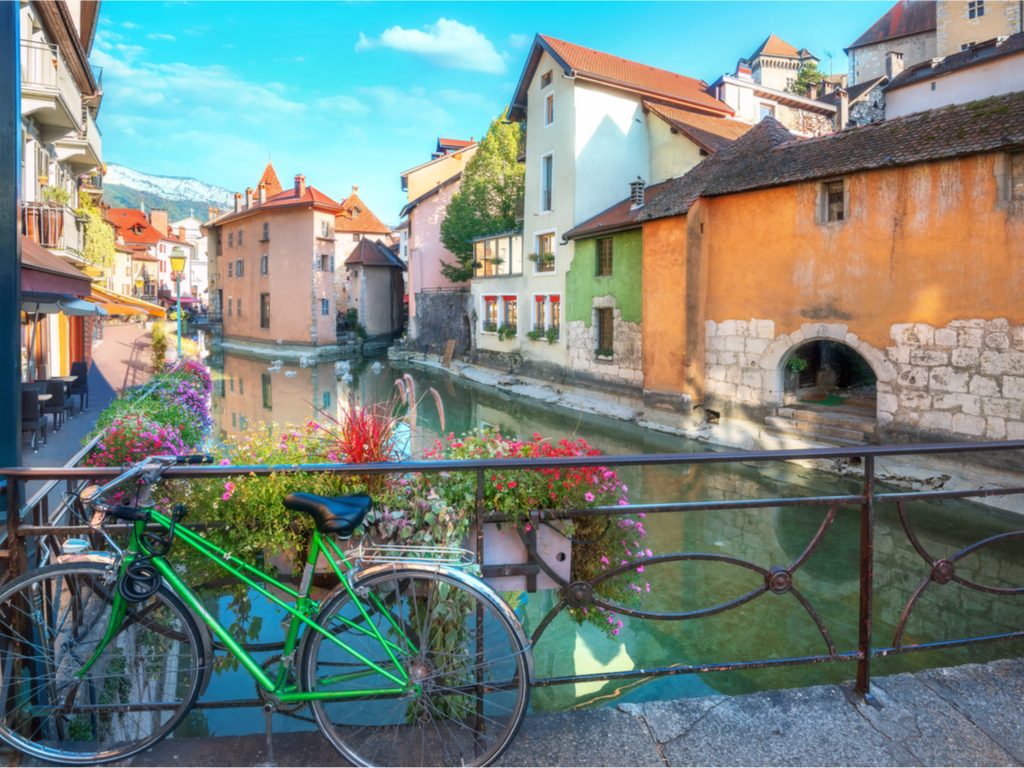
point(903, 241)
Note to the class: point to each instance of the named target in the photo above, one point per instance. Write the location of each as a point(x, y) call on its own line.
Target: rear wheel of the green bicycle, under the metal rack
point(460, 657)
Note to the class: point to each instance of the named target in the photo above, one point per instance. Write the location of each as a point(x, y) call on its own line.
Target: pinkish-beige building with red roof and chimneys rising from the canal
point(273, 270)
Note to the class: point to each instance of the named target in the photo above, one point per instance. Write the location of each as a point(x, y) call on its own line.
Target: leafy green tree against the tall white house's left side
point(492, 185)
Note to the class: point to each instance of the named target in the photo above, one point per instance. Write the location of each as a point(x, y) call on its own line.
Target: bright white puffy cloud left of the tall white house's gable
point(447, 45)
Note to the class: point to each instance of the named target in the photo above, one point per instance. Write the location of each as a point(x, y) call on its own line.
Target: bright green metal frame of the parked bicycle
point(304, 609)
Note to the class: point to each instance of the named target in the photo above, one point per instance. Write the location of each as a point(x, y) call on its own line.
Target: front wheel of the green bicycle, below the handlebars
point(53, 621)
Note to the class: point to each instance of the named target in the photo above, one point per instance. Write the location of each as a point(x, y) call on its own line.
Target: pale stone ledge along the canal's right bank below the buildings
point(923, 474)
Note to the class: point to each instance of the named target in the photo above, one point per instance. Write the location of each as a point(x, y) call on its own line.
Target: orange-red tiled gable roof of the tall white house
point(622, 73)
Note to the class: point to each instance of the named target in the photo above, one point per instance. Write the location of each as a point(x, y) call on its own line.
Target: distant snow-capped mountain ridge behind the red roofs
point(125, 188)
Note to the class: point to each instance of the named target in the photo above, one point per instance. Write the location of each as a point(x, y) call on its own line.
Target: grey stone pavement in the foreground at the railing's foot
point(970, 715)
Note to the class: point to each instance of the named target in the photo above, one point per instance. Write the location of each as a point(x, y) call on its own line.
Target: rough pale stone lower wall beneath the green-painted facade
point(626, 366)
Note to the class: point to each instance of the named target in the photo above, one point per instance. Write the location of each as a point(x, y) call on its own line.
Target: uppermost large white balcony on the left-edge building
point(49, 92)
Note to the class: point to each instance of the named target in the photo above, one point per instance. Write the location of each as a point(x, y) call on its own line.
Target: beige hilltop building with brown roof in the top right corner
point(924, 30)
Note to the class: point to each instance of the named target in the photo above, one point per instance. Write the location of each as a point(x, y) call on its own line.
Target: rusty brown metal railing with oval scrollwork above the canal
point(778, 579)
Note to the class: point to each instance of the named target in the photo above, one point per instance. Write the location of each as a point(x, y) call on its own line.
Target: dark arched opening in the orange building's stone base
point(829, 373)
